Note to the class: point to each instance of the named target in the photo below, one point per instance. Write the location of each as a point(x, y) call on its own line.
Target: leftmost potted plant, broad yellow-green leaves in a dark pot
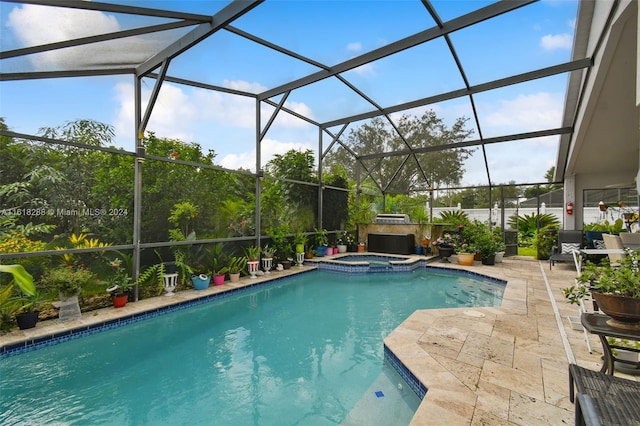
point(25, 306)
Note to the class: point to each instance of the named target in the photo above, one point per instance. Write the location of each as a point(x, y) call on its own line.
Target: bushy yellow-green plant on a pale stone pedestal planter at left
point(69, 281)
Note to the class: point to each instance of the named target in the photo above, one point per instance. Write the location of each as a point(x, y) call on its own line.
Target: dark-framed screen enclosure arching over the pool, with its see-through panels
point(131, 129)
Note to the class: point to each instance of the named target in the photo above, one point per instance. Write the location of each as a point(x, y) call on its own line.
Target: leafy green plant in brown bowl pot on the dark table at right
point(615, 289)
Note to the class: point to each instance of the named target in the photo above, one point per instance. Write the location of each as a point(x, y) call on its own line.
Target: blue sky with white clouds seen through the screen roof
point(329, 32)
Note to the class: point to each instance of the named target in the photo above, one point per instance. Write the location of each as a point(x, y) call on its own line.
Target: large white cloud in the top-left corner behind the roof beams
point(35, 25)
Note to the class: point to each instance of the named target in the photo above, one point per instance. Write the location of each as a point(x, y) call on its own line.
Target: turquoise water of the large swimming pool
point(306, 350)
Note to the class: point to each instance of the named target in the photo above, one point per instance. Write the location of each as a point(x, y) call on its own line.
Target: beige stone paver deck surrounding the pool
point(505, 365)
